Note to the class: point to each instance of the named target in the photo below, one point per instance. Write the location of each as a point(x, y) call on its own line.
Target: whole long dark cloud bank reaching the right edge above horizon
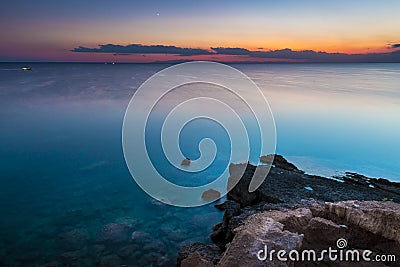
point(286, 54)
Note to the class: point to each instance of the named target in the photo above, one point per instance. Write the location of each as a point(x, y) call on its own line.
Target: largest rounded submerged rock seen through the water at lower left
point(114, 233)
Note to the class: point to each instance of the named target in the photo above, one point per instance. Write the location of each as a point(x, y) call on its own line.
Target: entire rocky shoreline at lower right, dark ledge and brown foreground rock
point(292, 210)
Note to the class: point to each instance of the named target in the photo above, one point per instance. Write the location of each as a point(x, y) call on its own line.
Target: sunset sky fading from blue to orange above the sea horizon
point(149, 31)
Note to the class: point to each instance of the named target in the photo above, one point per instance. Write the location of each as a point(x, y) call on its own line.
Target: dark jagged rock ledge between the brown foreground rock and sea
point(285, 184)
